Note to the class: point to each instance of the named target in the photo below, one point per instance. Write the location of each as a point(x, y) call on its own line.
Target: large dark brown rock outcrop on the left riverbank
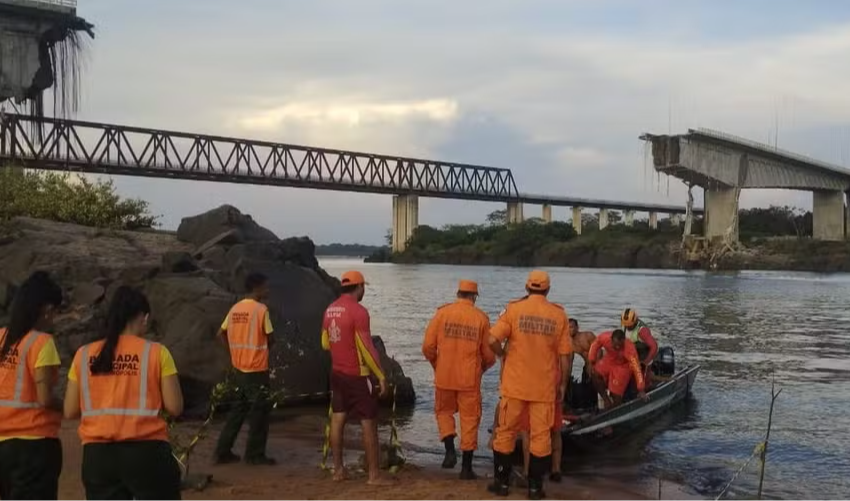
point(191, 278)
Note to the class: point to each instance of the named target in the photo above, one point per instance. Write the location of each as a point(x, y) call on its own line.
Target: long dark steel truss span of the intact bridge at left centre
point(72, 145)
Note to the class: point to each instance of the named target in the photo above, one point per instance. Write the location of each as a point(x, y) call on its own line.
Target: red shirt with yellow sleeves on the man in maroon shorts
point(346, 334)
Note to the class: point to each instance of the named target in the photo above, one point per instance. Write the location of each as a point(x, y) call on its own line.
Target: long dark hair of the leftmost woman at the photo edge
point(38, 291)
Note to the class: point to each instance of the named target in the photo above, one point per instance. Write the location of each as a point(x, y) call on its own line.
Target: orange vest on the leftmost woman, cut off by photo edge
point(20, 413)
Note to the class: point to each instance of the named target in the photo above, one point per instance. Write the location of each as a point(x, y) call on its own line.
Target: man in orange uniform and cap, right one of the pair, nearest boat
point(538, 333)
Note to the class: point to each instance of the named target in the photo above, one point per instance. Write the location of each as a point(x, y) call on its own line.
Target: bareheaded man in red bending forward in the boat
point(613, 371)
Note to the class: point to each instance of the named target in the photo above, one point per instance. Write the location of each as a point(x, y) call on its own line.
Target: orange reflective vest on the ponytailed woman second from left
point(123, 405)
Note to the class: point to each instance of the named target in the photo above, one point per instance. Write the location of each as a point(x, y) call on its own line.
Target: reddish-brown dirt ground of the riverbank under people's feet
point(296, 444)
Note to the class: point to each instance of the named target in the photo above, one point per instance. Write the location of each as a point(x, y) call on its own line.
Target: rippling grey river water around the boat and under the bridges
point(743, 328)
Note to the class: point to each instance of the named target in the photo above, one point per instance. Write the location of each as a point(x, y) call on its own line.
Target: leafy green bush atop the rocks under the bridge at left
point(59, 196)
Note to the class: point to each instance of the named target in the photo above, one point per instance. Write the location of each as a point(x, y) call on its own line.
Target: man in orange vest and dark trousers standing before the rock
point(247, 333)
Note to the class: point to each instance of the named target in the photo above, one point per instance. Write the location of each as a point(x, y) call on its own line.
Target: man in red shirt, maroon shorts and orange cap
point(346, 333)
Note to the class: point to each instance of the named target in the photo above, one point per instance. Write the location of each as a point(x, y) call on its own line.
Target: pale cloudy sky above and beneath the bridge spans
point(556, 90)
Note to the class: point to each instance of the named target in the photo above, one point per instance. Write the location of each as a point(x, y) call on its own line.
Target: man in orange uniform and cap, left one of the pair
point(457, 346)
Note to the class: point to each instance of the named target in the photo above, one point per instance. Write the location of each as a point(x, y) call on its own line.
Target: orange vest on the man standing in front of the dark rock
point(249, 350)
